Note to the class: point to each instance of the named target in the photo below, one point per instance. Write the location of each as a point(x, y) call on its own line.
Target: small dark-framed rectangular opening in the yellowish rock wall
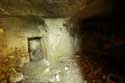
point(35, 49)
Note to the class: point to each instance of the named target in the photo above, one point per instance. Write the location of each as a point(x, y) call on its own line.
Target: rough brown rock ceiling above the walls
point(47, 8)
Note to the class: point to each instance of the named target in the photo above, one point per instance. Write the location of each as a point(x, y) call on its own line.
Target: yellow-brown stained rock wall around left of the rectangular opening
point(14, 33)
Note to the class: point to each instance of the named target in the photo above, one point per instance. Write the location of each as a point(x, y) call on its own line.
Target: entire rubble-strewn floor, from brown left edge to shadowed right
point(73, 69)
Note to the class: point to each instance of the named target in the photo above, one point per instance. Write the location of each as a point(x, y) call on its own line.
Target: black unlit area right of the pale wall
point(102, 40)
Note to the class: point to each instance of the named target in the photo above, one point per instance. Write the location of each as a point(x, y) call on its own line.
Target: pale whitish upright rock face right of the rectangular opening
point(59, 42)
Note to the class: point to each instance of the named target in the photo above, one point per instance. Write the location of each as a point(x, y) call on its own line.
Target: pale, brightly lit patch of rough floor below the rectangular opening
point(65, 70)
